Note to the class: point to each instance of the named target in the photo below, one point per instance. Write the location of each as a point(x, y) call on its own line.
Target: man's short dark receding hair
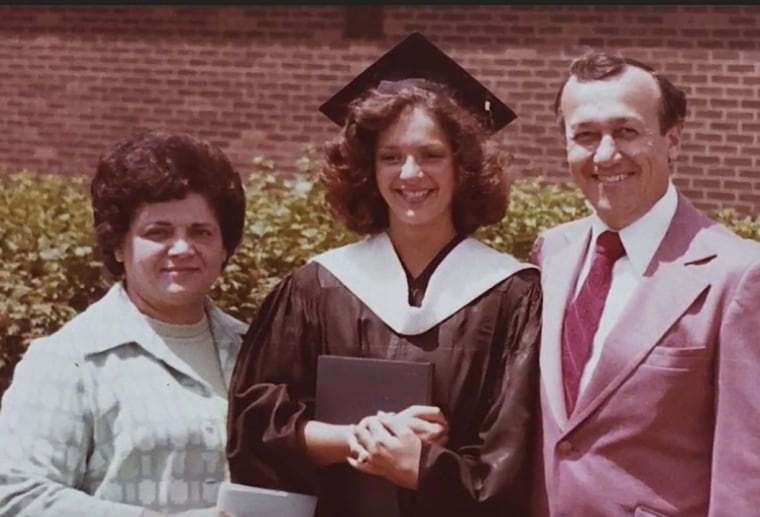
point(597, 66)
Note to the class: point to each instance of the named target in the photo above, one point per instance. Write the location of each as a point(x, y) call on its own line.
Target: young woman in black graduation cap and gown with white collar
point(411, 171)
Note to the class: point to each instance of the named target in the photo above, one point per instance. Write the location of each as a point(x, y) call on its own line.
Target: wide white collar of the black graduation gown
point(372, 271)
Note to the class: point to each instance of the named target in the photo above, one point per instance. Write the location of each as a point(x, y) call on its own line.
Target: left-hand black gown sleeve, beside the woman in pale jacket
point(272, 390)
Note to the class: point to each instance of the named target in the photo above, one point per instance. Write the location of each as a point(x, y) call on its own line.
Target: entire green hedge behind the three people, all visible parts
point(49, 269)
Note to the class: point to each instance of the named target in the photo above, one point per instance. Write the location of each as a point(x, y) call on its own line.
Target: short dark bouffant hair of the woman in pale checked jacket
point(156, 166)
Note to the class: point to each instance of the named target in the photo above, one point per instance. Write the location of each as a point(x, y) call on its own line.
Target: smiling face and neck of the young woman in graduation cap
point(414, 168)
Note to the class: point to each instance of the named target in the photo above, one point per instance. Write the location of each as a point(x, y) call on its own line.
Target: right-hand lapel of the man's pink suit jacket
point(673, 280)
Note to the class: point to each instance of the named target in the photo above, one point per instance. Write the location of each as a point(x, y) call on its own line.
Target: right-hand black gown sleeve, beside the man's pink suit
point(492, 477)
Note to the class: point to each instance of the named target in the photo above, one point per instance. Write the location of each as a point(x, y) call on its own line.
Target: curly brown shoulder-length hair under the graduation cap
point(348, 173)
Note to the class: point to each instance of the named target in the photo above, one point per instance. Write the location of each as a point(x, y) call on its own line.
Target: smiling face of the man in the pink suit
point(617, 153)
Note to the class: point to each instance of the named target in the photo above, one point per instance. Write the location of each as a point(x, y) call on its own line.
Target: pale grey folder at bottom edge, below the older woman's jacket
point(249, 501)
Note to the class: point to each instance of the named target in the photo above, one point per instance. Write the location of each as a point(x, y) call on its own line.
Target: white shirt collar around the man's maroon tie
point(642, 237)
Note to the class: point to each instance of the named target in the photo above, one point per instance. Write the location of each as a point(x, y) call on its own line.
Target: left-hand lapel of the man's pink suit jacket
point(560, 271)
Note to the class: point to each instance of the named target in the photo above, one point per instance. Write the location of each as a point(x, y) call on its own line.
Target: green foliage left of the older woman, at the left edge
point(48, 268)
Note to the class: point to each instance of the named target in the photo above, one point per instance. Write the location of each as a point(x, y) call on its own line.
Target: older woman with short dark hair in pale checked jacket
point(122, 411)
